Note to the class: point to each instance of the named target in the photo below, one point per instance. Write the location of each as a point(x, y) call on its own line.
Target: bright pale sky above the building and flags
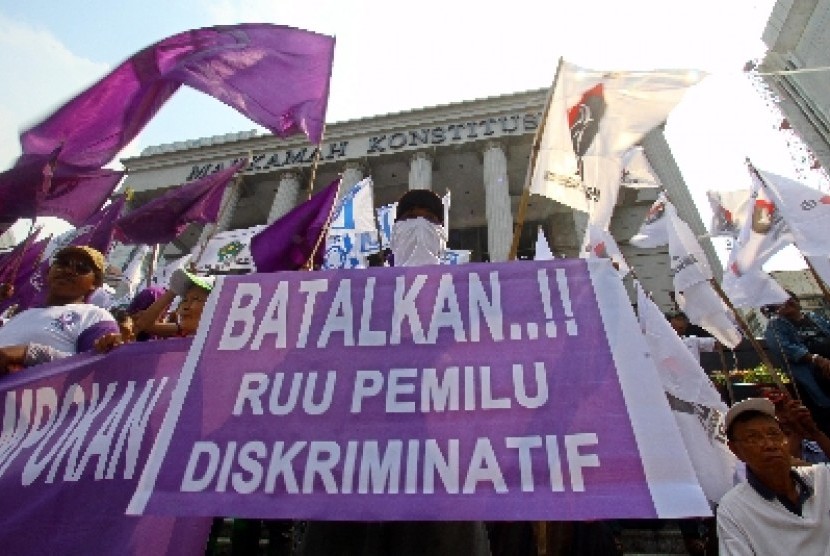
point(392, 56)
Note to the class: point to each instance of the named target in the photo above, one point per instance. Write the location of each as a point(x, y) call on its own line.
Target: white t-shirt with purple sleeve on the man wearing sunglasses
point(59, 327)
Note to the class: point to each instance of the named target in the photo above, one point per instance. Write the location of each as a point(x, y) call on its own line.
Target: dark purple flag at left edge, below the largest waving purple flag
point(38, 186)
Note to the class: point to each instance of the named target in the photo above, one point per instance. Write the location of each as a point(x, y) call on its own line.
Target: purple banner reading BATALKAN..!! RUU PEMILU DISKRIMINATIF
point(480, 391)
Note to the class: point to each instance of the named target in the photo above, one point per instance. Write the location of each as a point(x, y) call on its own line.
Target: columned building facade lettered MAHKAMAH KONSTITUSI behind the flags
point(477, 150)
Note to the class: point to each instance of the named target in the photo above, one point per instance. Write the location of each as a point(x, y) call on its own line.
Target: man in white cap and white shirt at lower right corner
point(780, 509)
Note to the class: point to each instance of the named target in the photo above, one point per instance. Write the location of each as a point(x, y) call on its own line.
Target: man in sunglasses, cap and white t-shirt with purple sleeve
point(67, 324)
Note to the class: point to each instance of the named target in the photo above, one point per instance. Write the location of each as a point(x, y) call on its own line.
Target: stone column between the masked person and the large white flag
point(497, 202)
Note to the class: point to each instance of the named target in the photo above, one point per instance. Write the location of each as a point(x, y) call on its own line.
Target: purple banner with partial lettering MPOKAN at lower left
point(75, 437)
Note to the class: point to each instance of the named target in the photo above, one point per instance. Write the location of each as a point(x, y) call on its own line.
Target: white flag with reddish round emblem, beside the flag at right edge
point(764, 231)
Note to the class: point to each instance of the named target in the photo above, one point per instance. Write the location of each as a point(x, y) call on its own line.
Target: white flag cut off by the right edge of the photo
point(805, 210)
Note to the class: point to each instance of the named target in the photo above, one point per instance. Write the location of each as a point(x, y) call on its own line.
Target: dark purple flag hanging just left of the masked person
point(288, 243)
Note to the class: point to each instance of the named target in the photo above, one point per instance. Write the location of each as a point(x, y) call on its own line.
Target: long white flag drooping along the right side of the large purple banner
point(695, 403)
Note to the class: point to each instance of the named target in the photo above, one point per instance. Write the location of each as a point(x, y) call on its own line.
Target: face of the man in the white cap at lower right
point(761, 444)
